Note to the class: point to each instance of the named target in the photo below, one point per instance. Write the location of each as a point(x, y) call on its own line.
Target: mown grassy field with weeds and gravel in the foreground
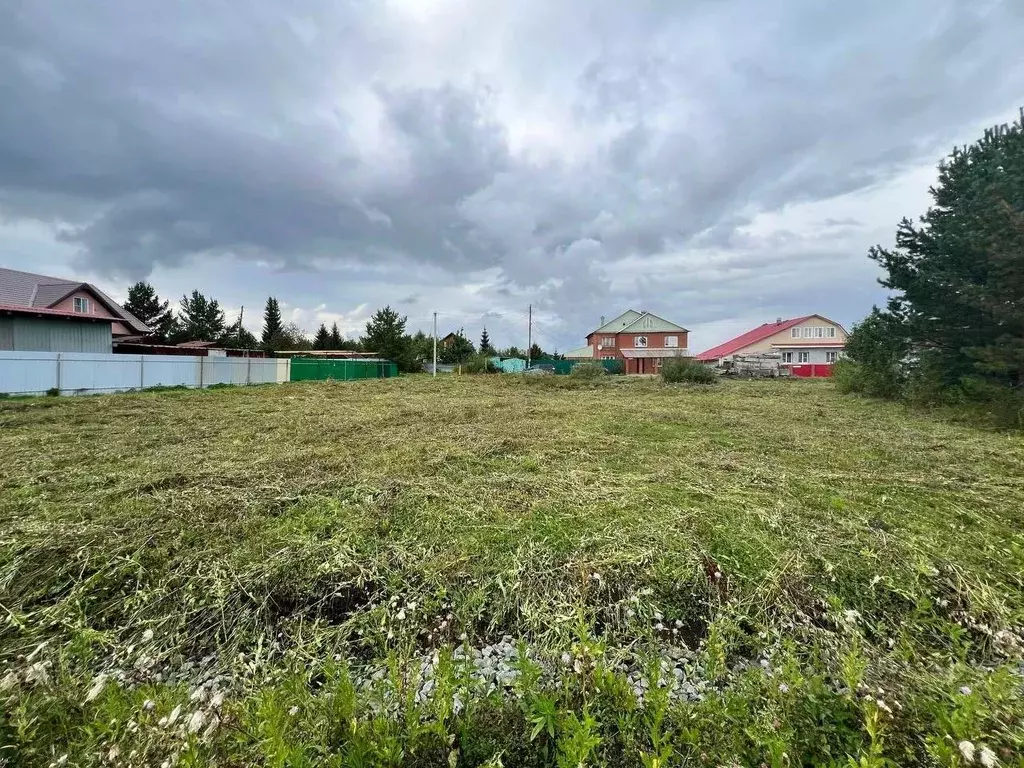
point(507, 572)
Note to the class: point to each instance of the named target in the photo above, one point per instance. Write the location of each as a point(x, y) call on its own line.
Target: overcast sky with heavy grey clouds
point(718, 163)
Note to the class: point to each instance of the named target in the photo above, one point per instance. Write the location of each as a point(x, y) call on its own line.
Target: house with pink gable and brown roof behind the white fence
point(40, 314)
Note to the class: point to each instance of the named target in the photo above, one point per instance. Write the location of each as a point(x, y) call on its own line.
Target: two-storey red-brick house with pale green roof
point(641, 340)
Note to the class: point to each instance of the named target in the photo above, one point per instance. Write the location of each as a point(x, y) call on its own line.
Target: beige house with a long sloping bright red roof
point(808, 346)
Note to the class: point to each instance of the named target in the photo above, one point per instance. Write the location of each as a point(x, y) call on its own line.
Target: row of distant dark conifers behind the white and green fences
point(199, 318)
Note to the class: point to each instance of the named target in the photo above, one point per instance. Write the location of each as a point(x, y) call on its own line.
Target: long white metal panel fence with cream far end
point(82, 373)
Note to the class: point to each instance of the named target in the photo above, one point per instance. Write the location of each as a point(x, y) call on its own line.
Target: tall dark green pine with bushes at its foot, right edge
point(954, 330)
